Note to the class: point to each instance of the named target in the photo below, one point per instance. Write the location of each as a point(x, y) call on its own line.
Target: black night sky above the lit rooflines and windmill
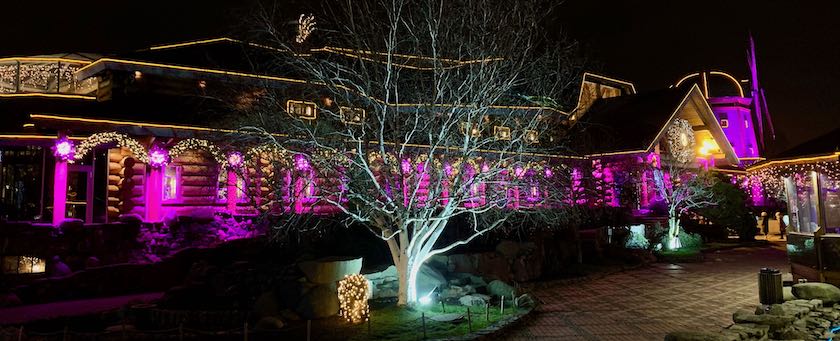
point(649, 42)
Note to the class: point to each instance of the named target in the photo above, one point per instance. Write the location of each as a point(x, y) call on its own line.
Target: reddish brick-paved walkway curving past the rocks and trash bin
point(646, 304)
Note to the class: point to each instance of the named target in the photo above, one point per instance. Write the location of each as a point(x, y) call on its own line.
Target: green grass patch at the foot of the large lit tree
point(394, 323)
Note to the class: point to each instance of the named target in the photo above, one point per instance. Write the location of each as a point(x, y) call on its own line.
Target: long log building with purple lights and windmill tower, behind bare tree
point(102, 140)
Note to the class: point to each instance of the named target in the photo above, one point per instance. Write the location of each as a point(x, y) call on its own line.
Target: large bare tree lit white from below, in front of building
point(428, 112)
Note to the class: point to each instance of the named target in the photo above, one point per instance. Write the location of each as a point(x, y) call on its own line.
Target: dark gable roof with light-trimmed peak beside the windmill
point(634, 123)
